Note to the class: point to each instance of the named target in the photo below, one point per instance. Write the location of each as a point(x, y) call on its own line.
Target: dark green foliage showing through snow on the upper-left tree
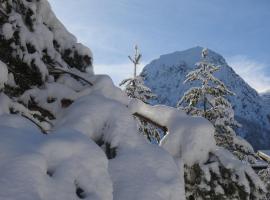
point(28, 75)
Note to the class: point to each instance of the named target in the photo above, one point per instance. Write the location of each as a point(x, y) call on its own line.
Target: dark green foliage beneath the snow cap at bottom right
point(220, 184)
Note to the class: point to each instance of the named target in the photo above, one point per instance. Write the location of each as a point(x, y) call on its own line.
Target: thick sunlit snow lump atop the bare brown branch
point(189, 138)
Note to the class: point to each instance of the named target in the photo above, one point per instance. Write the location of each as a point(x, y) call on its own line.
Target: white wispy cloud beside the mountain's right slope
point(252, 71)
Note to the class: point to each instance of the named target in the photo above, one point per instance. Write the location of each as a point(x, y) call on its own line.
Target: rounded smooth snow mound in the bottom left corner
point(35, 166)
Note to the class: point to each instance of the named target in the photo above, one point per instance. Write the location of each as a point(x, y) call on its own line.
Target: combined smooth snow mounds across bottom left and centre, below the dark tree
point(139, 171)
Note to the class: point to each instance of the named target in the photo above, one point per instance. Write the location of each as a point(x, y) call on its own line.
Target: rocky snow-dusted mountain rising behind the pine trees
point(165, 76)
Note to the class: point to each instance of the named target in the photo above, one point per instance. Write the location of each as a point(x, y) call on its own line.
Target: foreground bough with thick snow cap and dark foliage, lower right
point(208, 174)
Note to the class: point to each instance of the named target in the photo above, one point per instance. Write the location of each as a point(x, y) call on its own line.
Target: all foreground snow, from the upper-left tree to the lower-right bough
point(92, 148)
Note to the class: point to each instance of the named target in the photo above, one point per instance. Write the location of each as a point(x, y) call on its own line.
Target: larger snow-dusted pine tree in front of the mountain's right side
point(209, 101)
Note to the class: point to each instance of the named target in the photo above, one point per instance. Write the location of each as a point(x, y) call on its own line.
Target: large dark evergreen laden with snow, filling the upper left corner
point(36, 51)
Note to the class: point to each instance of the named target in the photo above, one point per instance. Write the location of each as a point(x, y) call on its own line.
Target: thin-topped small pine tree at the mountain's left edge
point(134, 88)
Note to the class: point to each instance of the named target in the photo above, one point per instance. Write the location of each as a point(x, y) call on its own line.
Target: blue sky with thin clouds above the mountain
point(237, 29)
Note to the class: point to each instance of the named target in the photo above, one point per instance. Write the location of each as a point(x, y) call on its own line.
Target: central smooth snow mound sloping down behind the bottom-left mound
point(153, 175)
